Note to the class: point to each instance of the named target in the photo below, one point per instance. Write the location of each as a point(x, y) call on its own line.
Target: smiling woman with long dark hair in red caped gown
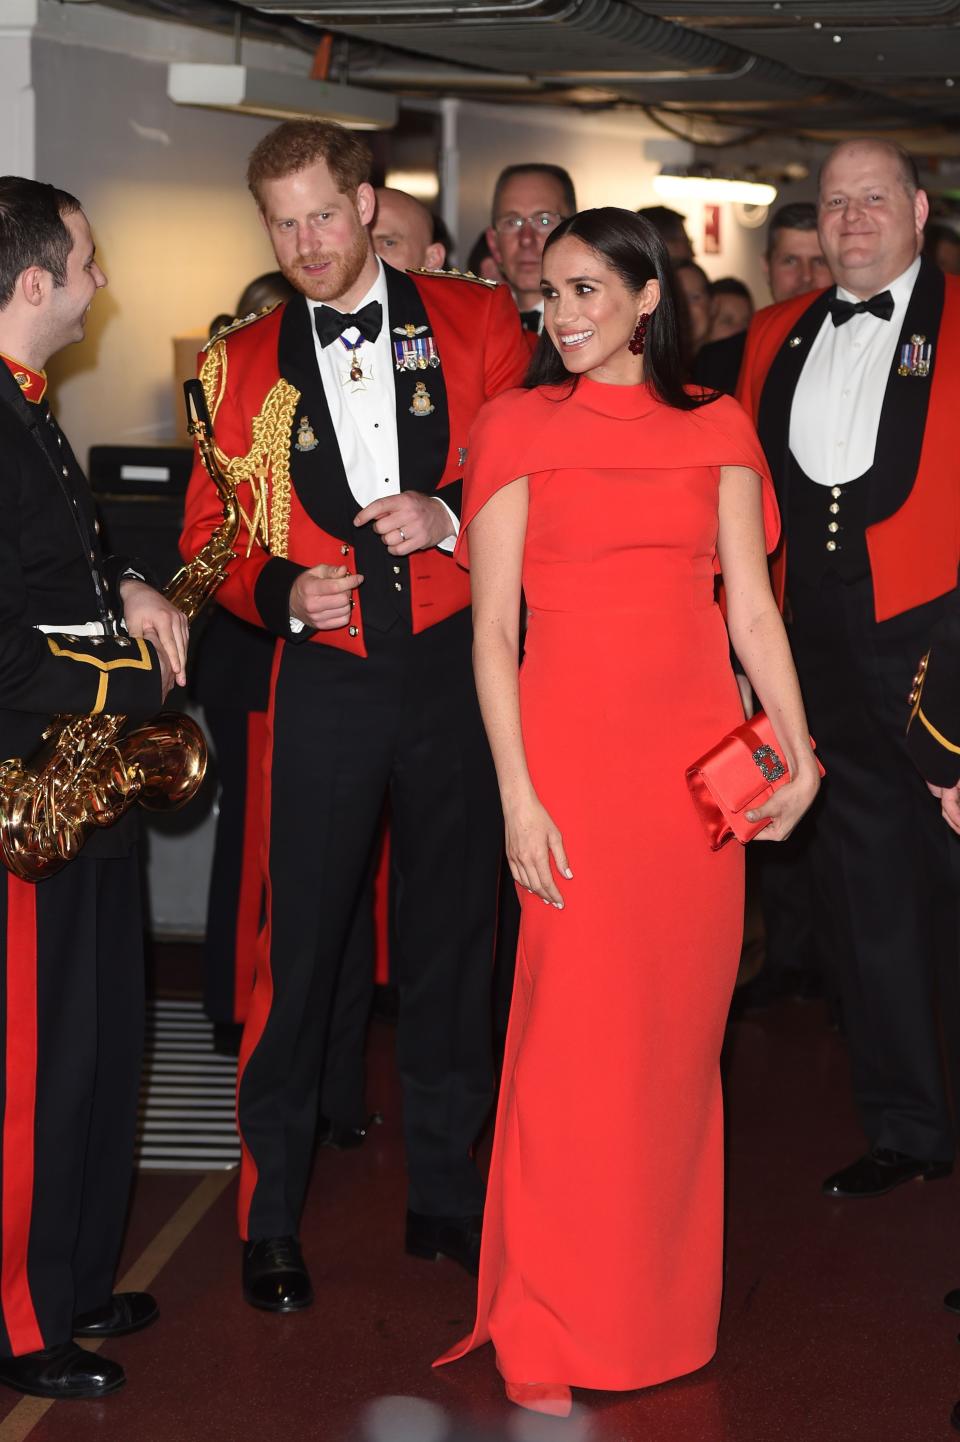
point(612, 494)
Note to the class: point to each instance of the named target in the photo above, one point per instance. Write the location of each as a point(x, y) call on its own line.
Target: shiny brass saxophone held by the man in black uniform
point(90, 769)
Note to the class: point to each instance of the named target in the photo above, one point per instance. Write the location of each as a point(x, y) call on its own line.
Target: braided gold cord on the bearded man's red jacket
point(266, 466)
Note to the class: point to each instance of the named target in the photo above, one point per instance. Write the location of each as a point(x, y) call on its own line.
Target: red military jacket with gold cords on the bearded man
point(262, 383)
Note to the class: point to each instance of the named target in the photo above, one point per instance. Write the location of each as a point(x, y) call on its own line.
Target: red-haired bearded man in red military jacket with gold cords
point(344, 419)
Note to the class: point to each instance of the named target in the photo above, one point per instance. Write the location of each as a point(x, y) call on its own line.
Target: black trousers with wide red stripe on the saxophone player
point(71, 1030)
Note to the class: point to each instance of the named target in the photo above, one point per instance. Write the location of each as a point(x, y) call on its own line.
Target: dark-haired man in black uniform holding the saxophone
point(71, 961)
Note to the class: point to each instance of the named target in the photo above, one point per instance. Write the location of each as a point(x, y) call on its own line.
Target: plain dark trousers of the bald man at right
point(884, 860)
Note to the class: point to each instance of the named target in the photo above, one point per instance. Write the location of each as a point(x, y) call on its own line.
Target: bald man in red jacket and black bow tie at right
point(851, 390)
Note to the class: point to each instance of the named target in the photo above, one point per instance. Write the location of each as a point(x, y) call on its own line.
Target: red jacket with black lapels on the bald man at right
point(913, 534)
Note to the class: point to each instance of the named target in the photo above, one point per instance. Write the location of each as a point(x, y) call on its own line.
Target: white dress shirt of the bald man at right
point(838, 402)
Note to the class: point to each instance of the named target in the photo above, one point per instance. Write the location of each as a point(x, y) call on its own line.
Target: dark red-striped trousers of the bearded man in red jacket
point(347, 733)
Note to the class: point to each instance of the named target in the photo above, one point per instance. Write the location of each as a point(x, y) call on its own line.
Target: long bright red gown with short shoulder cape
point(603, 1229)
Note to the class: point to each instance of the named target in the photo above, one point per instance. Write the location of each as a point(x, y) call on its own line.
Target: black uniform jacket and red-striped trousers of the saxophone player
point(71, 965)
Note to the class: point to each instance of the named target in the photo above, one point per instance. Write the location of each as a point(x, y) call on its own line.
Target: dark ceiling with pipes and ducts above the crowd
point(881, 67)
